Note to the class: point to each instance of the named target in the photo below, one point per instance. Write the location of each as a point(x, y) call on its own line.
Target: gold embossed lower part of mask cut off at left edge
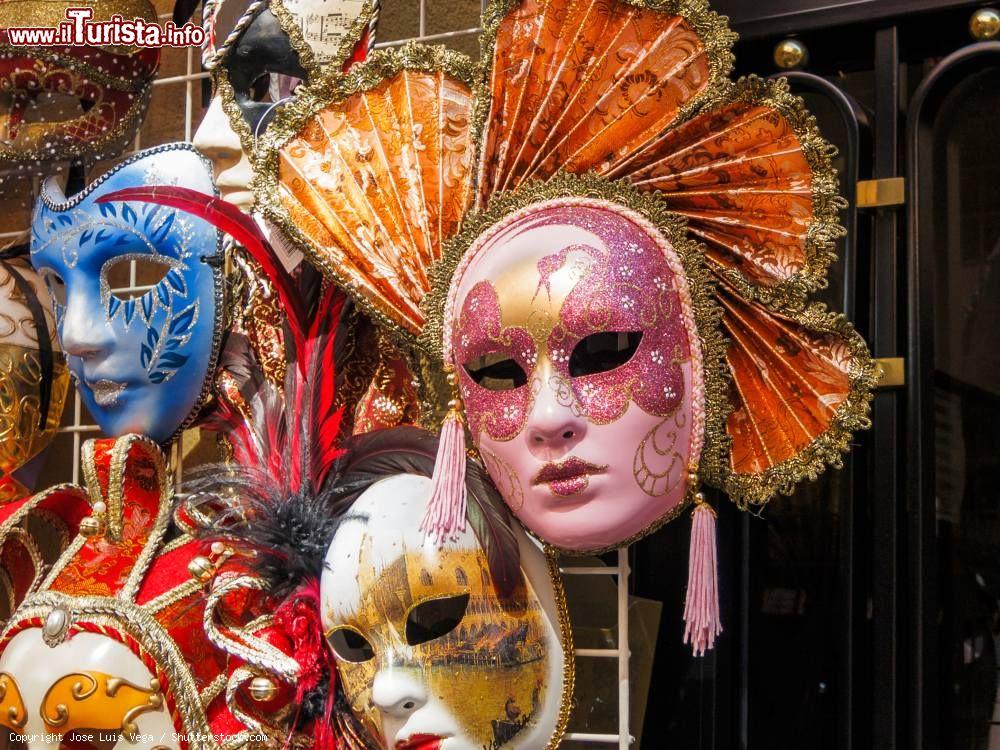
point(21, 436)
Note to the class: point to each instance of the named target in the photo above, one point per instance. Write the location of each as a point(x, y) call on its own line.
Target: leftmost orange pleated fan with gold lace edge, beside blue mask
point(369, 172)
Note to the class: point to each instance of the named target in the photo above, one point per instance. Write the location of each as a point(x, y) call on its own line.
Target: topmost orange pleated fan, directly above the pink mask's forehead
point(578, 84)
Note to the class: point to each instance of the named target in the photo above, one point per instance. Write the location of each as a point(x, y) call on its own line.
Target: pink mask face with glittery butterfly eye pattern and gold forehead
point(572, 332)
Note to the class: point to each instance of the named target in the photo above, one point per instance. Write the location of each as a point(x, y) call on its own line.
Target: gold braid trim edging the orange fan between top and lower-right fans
point(825, 228)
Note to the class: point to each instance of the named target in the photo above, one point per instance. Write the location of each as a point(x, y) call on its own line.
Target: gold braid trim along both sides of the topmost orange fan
point(712, 29)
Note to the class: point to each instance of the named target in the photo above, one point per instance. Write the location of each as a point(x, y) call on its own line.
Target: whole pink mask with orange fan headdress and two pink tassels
point(597, 224)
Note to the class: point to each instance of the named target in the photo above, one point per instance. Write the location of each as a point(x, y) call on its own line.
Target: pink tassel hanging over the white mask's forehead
point(445, 516)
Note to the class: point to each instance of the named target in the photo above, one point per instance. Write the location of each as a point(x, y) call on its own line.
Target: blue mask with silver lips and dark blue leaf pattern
point(136, 289)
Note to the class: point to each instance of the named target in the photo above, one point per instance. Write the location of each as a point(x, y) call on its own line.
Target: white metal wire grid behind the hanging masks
point(181, 74)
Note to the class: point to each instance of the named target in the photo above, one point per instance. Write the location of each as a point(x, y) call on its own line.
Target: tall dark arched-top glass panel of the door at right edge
point(962, 222)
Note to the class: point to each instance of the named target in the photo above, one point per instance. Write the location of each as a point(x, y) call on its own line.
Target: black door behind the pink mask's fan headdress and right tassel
point(862, 612)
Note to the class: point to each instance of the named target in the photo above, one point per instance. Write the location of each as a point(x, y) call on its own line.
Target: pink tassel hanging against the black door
point(701, 608)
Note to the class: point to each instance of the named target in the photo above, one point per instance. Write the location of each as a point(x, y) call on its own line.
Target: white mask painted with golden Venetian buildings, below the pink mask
point(429, 655)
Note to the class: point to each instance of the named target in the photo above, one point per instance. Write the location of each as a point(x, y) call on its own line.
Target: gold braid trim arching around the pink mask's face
point(707, 314)
